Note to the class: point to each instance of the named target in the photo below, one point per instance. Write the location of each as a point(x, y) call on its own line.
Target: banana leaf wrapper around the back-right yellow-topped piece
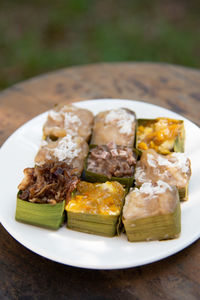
point(179, 143)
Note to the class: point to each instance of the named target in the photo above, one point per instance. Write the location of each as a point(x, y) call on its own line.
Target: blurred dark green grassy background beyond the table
point(37, 36)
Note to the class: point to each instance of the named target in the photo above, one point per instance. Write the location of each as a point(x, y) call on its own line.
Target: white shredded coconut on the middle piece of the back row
point(123, 118)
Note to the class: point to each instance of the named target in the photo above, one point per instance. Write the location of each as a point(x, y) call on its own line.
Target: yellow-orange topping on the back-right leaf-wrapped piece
point(159, 134)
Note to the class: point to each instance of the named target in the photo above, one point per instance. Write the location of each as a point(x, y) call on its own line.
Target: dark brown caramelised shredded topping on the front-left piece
point(51, 183)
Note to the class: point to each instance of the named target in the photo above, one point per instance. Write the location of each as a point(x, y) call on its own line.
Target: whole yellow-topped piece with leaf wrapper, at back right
point(164, 135)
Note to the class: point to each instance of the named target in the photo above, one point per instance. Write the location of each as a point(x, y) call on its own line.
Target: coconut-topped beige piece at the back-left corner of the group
point(68, 120)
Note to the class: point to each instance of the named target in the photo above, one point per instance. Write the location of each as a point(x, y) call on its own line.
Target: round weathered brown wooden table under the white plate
point(25, 275)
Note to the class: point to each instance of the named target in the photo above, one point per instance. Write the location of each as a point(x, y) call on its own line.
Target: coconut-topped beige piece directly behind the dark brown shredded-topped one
point(70, 149)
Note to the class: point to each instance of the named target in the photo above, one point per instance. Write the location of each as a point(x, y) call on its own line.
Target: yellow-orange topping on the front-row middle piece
point(97, 198)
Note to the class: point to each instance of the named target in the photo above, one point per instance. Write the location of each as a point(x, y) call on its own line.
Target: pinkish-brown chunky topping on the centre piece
point(112, 160)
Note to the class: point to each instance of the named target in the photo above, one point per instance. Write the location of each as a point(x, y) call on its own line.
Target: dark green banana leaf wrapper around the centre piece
point(95, 177)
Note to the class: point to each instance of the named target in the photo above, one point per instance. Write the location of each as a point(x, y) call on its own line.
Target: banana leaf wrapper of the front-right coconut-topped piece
point(158, 227)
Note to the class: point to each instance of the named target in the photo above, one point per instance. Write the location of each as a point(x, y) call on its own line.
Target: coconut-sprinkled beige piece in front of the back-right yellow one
point(173, 168)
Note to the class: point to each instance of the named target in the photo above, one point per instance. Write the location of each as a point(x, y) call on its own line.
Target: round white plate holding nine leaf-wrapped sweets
point(80, 249)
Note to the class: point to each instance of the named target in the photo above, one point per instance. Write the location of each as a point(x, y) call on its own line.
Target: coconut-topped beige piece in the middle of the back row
point(117, 126)
